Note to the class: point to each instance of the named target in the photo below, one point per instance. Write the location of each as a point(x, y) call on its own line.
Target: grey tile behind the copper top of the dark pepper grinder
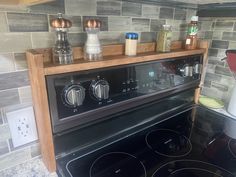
point(75, 20)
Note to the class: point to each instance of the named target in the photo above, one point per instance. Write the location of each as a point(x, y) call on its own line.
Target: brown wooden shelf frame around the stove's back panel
point(40, 62)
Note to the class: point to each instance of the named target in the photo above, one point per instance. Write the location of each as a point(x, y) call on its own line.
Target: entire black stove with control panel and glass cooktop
point(137, 120)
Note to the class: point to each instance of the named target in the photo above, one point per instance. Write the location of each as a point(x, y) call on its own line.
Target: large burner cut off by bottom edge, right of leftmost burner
point(191, 168)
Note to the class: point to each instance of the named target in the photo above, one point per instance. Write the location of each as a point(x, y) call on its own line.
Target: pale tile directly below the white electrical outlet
point(14, 158)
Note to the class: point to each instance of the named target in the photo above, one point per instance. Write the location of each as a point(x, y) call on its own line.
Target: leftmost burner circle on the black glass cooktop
point(117, 164)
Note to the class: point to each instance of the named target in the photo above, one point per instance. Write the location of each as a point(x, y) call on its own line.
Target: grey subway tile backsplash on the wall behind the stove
point(29, 27)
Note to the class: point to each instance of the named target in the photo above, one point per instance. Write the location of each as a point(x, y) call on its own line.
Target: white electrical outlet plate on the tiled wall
point(22, 126)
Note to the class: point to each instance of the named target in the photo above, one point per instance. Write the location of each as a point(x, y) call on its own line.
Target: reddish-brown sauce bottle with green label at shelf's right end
point(191, 40)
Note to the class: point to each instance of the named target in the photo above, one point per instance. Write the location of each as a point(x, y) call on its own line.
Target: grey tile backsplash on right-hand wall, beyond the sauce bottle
point(220, 33)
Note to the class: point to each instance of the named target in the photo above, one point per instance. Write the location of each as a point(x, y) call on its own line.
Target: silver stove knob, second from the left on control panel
point(100, 89)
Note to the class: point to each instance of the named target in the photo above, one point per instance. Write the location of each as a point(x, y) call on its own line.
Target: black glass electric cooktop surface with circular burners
point(182, 146)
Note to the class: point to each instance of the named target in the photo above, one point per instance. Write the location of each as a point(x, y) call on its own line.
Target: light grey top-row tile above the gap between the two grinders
point(81, 7)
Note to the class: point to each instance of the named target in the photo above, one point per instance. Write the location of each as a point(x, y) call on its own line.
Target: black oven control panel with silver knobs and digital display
point(75, 94)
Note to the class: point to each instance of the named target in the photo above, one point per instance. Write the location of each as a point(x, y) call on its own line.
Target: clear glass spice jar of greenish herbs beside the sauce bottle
point(164, 39)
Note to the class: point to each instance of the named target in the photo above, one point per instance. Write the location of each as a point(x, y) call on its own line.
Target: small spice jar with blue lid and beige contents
point(131, 42)
